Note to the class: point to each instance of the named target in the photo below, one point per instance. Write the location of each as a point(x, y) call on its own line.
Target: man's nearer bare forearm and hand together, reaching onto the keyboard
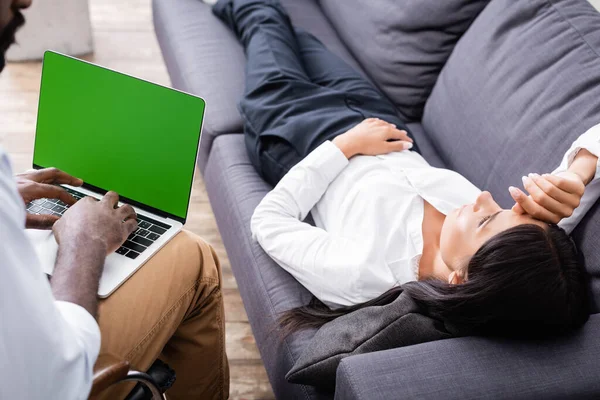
point(86, 234)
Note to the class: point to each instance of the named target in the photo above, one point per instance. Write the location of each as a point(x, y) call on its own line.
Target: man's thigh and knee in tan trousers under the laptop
point(140, 317)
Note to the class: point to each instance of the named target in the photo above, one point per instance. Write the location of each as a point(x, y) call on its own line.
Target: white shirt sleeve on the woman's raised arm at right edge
point(590, 141)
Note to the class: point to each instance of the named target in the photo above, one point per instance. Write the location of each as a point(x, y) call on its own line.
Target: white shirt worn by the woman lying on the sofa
point(368, 213)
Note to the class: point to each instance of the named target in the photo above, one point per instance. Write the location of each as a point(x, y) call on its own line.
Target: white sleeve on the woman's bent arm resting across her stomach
point(320, 261)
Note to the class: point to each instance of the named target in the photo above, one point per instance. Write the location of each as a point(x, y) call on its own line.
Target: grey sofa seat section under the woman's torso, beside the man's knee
point(235, 189)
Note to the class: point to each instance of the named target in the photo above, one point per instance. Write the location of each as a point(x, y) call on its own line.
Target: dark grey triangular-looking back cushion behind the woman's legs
point(402, 44)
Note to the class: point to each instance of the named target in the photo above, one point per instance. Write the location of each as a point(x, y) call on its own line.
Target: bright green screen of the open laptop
point(118, 133)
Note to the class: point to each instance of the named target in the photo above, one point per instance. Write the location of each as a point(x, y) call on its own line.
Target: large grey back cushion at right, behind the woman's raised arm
point(521, 85)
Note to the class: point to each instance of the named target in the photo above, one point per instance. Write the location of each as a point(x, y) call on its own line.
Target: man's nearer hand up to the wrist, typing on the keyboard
point(96, 223)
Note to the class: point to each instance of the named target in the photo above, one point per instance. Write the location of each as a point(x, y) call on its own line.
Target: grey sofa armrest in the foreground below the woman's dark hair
point(479, 368)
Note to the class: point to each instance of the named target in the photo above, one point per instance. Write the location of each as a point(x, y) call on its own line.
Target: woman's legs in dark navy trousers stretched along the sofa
point(286, 114)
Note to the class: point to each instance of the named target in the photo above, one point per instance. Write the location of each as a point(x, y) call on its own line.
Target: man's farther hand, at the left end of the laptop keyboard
point(40, 184)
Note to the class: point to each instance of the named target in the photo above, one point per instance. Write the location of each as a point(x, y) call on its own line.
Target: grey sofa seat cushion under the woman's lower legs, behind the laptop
point(204, 57)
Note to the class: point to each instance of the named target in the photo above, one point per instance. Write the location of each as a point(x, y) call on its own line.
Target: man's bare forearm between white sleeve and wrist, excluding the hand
point(77, 275)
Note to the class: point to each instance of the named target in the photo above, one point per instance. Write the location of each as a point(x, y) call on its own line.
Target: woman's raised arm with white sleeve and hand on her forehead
point(569, 192)
